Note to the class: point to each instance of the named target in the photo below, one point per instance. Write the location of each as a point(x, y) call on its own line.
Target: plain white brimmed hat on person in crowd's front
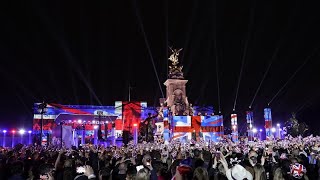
point(238, 172)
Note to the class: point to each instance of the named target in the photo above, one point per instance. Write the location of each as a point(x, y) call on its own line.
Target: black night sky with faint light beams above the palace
point(89, 53)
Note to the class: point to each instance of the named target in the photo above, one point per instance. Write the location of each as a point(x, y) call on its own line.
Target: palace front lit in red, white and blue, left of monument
point(89, 124)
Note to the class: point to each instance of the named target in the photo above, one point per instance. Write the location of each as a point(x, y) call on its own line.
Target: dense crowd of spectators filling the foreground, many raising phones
point(292, 158)
